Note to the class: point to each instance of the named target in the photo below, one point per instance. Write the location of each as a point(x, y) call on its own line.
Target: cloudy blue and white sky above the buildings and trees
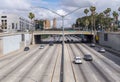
point(42, 8)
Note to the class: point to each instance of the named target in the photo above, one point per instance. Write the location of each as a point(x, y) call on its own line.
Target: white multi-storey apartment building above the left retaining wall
point(13, 22)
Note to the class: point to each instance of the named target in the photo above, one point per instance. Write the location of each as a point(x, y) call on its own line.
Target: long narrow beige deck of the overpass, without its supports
point(61, 32)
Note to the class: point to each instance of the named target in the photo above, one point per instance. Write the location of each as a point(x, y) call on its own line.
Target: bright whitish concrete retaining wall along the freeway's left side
point(9, 44)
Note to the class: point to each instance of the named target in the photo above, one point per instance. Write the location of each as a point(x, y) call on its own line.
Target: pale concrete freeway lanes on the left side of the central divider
point(34, 66)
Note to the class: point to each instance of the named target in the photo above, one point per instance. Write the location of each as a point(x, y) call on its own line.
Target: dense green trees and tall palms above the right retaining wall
point(103, 21)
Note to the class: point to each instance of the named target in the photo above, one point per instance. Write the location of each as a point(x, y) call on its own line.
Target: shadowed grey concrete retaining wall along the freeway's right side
point(112, 40)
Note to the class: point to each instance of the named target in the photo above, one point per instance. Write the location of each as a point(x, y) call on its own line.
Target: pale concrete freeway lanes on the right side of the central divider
point(101, 69)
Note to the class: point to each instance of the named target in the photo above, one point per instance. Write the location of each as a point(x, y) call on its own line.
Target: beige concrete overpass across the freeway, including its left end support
point(37, 34)
